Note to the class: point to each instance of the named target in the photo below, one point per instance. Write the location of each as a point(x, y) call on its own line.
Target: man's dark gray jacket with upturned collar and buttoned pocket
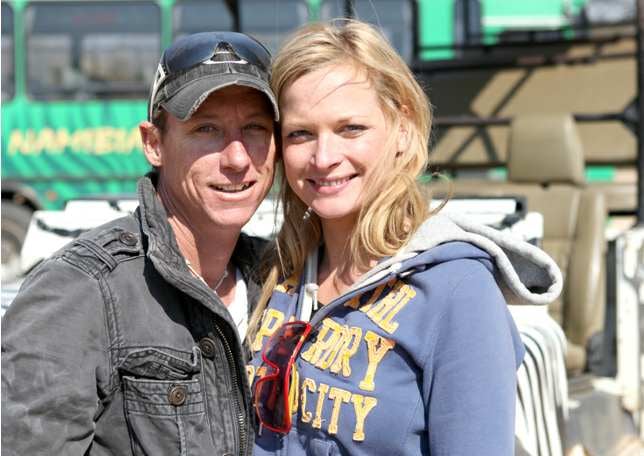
point(112, 346)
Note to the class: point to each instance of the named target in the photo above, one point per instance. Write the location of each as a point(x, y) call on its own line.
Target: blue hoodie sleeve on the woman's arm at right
point(470, 374)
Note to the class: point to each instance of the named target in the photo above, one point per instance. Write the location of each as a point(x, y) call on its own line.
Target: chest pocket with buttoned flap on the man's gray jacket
point(165, 416)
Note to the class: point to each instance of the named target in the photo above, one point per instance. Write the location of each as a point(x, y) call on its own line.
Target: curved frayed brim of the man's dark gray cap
point(187, 100)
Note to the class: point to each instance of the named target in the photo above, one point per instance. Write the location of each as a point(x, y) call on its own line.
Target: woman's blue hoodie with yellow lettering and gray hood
point(419, 356)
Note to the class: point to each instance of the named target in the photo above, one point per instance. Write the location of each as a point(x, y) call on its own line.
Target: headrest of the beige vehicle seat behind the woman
point(545, 148)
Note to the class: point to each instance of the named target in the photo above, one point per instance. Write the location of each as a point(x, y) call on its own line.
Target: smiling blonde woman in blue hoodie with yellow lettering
point(409, 346)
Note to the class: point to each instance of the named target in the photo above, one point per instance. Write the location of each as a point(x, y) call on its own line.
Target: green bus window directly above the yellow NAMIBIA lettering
point(91, 50)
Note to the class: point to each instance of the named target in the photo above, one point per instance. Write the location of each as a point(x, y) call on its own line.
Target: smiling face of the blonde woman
point(334, 136)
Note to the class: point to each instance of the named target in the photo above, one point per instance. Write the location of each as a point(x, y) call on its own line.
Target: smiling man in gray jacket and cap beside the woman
point(121, 343)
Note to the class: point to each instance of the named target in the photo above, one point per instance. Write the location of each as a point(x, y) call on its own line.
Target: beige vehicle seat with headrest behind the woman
point(546, 166)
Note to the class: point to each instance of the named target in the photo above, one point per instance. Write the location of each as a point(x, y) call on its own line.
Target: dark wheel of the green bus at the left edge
point(15, 221)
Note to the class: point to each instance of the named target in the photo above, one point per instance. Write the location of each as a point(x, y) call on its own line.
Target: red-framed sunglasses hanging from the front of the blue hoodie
point(272, 390)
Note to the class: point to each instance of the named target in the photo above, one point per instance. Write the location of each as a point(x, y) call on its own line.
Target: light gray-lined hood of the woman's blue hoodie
point(525, 274)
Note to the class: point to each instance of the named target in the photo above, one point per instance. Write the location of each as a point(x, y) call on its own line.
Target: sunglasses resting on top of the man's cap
point(193, 50)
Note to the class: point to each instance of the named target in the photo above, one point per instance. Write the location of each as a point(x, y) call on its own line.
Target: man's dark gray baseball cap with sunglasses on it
point(196, 65)
